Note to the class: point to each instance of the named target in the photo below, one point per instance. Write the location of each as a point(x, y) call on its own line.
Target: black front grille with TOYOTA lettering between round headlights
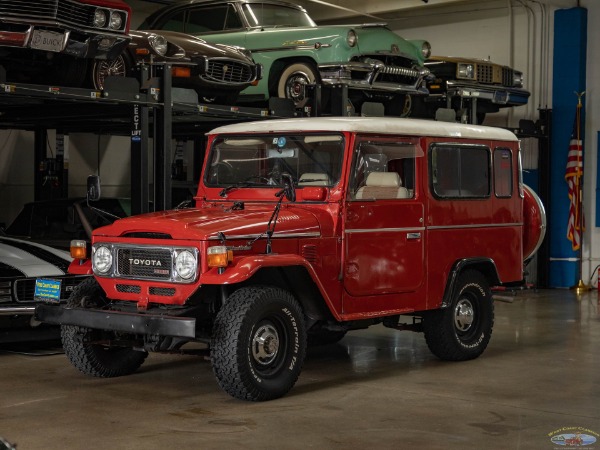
point(153, 263)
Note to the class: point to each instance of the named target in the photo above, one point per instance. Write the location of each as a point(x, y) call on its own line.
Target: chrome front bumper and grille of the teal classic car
point(374, 77)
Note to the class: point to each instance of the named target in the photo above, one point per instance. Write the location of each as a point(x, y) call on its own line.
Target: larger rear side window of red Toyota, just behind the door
point(460, 171)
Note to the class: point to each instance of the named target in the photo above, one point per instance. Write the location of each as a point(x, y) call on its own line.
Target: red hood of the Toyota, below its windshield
point(206, 222)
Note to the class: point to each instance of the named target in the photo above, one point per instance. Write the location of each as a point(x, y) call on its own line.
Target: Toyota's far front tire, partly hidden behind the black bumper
point(91, 358)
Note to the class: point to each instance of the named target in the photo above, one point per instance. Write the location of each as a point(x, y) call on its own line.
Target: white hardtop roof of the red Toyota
point(378, 125)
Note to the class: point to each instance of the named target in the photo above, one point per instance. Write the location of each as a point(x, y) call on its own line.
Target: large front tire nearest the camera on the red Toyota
point(259, 343)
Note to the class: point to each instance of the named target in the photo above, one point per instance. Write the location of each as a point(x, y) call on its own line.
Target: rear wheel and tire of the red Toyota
point(463, 330)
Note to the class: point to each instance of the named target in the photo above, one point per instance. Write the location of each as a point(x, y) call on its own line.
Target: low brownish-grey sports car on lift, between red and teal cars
point(217, 72)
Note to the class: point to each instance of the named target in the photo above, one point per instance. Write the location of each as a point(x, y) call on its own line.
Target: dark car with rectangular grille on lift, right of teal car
point(471, 87)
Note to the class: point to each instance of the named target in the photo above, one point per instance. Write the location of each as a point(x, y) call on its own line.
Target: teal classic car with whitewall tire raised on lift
point(375, 63)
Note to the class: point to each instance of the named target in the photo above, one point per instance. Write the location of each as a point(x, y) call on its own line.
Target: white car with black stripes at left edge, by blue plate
point(28, 273)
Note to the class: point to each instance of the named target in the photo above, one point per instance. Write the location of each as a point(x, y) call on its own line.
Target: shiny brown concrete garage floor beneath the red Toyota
point(376, 389)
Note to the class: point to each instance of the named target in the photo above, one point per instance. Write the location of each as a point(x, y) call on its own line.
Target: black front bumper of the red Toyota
point(124, 322)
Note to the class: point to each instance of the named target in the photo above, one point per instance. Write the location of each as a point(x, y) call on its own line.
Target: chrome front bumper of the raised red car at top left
point(74, 43)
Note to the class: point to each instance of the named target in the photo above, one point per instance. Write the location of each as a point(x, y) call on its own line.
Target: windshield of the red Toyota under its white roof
point(259, 161)
